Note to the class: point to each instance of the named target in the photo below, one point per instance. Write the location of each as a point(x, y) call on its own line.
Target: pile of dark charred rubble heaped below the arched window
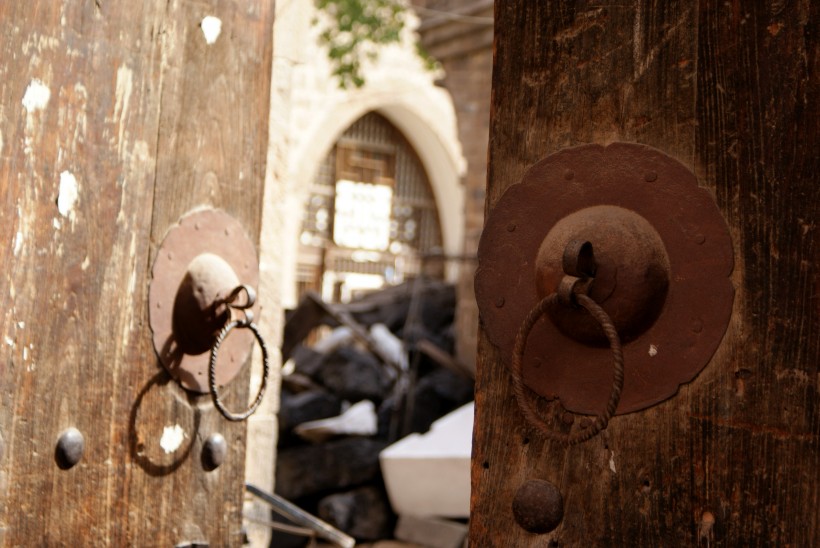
point(384, 370)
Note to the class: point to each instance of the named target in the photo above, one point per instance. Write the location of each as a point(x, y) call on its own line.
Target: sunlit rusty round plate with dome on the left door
point(203, 260)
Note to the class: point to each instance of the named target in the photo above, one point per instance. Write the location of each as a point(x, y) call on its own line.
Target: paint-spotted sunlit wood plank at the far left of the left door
point(78, 118)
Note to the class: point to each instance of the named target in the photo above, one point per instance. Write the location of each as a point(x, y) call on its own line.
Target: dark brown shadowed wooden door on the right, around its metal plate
point(730, 89)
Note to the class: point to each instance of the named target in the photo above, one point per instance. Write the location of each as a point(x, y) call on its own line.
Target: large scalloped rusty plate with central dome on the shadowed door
point(660, 270)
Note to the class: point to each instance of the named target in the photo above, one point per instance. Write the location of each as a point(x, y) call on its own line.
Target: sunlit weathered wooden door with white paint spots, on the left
point(116, 118)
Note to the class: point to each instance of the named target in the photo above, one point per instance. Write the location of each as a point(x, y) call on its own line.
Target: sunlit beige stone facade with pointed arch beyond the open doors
point(308, 114)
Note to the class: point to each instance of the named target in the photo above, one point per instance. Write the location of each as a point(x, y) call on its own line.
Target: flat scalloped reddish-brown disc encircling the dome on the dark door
point(698, 304)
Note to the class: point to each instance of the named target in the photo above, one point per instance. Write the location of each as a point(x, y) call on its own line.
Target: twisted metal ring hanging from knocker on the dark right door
point(524, 402)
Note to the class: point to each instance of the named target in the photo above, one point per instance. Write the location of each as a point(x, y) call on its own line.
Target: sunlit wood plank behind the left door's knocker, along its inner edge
point(211, 150)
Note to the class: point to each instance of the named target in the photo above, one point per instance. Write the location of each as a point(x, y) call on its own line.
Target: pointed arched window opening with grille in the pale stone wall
point(371, 218)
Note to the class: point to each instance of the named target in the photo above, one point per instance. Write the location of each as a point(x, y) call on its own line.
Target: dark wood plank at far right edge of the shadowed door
point(757, 451)
